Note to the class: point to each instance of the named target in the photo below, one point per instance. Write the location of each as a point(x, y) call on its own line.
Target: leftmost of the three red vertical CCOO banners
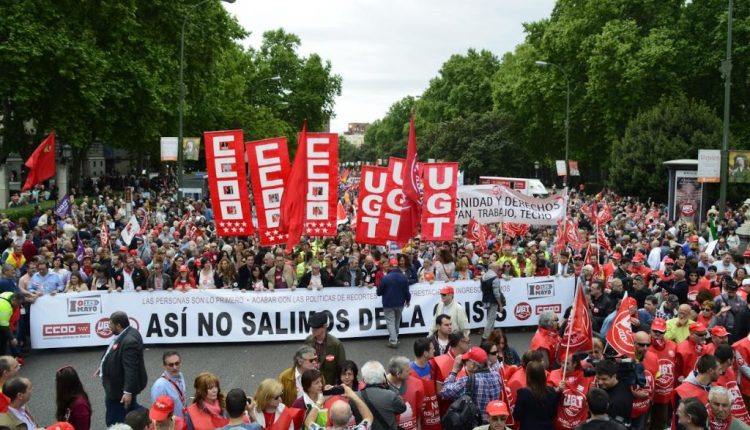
point(225, 163)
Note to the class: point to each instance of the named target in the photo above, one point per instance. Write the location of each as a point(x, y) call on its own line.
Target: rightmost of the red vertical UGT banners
point(439, 201)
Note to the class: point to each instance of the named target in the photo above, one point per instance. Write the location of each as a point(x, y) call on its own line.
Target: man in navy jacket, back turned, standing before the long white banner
point(394, 289)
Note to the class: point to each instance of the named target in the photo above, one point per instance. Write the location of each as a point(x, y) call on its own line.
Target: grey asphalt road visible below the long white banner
point(237, 366)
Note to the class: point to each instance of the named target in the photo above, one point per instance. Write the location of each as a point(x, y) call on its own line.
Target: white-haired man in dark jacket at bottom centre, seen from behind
point(384, 403)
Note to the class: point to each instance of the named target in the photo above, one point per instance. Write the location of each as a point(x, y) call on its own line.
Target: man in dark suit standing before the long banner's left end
point(122, 369)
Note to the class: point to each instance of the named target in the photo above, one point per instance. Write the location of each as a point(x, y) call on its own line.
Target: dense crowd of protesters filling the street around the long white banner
point(685, 286)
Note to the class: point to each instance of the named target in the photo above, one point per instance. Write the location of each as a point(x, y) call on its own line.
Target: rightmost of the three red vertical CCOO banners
point(321, 197)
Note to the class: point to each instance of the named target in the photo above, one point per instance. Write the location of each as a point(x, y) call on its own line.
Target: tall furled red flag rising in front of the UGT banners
point(409, 225)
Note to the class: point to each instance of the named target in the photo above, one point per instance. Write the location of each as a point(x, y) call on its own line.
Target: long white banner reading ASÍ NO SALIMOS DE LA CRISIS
point(206, 316)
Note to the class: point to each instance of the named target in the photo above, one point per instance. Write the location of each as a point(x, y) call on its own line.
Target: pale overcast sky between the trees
point(385, 50)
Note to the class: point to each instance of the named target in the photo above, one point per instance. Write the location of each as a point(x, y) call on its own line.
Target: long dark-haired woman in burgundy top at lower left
point(73, 404)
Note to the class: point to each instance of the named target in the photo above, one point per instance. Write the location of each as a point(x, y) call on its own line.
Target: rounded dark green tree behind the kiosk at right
point(673, 129)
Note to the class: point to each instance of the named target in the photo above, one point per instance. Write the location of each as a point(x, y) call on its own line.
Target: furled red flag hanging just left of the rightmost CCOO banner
point(293, 199)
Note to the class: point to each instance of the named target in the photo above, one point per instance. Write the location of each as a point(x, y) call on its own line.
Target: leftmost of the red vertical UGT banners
point(372, 192)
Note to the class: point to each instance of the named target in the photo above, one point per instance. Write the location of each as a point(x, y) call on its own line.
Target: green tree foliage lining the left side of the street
point(108, 71)
